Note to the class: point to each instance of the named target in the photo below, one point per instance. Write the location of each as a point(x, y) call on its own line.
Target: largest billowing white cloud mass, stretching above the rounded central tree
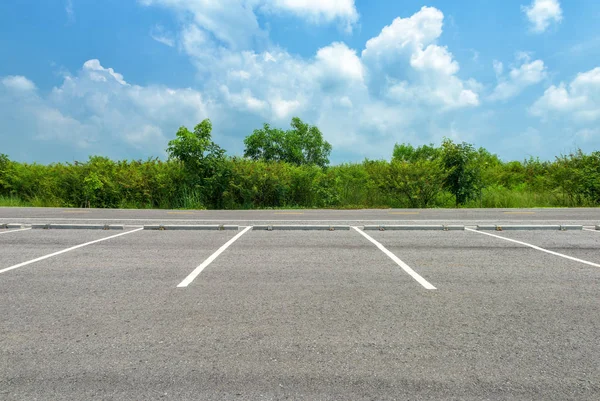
point(361, 98)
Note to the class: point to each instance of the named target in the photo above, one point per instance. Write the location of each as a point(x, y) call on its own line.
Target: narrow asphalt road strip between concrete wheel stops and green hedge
point(585, 216)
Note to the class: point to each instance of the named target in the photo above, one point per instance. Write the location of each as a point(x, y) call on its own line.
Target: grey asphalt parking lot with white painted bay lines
point(320, 315)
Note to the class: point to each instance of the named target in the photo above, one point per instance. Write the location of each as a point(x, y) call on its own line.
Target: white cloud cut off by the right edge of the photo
point(579, 101)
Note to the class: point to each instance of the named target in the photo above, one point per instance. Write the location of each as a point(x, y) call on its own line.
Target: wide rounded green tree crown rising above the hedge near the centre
point(301, 145)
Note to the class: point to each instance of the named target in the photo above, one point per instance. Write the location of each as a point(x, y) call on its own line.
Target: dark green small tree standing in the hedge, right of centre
point(463, 174)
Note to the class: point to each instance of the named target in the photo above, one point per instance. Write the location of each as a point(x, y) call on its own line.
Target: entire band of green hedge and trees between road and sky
point(291, 169)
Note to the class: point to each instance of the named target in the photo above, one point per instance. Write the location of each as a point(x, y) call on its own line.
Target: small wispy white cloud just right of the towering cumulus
point(520, 77)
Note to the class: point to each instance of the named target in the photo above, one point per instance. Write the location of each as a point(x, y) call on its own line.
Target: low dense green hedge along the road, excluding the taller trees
point(239, 183)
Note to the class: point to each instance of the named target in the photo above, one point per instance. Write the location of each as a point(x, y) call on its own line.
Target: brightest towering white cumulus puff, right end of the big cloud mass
point(407, 49)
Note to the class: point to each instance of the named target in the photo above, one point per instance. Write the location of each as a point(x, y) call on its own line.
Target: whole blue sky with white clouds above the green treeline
point(118, 77)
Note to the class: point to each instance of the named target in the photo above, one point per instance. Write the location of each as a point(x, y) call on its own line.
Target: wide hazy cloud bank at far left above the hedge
point(97, 109)
